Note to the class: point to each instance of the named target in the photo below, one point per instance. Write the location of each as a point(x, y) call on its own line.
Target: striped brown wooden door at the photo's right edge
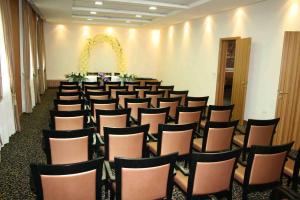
point(288, 99)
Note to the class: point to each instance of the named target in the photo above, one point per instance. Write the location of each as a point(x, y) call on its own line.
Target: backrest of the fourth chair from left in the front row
point(265, 165)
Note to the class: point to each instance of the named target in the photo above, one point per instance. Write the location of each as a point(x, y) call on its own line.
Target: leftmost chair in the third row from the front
point(68, 120)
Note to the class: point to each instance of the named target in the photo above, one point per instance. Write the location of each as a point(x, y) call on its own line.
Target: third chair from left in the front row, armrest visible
point(208, 174)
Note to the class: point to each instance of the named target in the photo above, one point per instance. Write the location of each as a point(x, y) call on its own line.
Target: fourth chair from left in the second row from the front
point(217, 136)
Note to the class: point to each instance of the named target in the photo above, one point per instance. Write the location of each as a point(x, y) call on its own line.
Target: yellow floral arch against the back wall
point(92, 42)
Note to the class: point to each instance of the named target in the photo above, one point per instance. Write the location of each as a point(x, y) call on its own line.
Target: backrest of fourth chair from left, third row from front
point(188, 115)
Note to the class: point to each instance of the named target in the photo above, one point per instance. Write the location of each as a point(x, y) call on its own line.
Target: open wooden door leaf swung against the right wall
point(240, 77)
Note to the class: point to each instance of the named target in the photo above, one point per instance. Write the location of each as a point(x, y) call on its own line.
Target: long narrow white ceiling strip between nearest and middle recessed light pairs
point(76, 8)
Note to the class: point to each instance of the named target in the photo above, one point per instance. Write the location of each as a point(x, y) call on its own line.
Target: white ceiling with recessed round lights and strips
point(124, 12)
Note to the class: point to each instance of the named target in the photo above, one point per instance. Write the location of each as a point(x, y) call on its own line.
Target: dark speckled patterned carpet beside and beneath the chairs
point(25, 148)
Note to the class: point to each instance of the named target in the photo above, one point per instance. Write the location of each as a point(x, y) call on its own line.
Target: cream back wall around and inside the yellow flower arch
point(65, 42)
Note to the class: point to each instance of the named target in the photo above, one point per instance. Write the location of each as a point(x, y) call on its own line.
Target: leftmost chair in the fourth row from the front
point(69, 105)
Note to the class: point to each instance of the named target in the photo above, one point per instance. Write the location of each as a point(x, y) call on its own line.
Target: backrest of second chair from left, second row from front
point(125, 142)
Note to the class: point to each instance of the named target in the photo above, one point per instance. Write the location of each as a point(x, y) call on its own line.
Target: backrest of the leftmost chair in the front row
point(80, 180)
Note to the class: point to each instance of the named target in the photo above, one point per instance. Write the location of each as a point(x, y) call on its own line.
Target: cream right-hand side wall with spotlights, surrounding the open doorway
point(189, 55)
